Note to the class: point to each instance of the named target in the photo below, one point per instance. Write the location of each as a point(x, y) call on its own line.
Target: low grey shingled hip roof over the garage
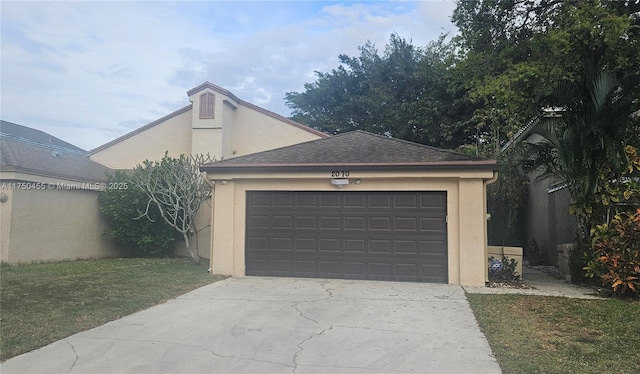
point(357, 150)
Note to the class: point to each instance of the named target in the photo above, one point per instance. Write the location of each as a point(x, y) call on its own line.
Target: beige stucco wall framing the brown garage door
point(465, 209)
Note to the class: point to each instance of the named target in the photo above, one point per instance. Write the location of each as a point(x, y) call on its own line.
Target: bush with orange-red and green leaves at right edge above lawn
point(616, 248)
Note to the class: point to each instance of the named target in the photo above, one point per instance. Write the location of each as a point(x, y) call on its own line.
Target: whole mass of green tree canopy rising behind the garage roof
point(478, 88)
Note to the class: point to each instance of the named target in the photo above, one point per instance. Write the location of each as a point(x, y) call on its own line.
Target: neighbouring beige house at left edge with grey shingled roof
point(49, 199)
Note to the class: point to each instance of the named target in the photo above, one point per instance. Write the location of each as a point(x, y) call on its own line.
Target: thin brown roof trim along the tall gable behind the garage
point(220, 90)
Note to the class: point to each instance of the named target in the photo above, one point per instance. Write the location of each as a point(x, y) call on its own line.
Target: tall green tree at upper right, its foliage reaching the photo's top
point(516, 51)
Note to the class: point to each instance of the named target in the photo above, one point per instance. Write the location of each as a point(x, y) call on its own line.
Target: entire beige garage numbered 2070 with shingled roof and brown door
point(355, 206)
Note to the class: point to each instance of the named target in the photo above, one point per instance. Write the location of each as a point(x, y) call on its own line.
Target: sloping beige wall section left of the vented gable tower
point(173, 135)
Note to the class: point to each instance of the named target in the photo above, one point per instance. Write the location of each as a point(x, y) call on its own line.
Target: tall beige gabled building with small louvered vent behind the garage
point(216, 122)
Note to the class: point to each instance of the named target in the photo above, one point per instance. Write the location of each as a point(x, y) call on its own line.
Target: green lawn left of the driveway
point(42, 303)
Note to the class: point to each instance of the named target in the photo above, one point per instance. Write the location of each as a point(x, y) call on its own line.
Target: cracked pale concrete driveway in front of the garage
point(282, 325)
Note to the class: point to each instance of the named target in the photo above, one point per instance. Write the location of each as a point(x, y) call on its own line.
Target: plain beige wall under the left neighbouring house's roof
point(54, 224)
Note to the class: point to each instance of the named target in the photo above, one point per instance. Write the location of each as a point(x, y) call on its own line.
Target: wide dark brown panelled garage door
point(352, 235)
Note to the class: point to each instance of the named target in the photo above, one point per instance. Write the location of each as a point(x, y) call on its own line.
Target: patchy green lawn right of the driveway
point(539, 334)
